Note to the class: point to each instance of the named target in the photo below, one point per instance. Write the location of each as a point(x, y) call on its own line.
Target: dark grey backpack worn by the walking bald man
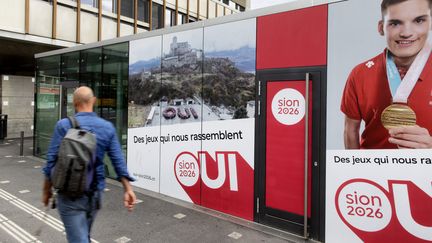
point(74, 170)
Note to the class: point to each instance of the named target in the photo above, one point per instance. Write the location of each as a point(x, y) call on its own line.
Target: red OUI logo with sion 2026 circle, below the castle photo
point(223, 181)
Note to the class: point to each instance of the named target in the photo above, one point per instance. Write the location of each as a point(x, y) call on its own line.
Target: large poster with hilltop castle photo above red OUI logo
point(192, 116)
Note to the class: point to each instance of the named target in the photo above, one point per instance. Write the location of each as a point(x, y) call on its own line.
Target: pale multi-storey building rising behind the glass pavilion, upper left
point(28, 27)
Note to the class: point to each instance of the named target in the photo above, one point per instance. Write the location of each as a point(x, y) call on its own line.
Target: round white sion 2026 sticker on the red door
point(288, 106)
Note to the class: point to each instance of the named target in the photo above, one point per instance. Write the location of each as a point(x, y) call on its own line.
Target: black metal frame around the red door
point(312, 227)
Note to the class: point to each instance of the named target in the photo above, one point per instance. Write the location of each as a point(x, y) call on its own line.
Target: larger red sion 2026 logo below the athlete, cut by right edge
point(401, 214)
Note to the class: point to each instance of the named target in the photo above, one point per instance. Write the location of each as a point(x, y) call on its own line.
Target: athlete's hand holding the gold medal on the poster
point(411, 137)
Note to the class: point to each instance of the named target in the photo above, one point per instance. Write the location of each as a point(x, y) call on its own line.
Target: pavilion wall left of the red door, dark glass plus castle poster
point(183, 104)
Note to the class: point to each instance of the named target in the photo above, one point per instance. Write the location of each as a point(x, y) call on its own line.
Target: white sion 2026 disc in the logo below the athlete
point(364, 206)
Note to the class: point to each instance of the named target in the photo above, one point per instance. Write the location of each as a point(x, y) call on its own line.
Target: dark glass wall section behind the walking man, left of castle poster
point(104, 69)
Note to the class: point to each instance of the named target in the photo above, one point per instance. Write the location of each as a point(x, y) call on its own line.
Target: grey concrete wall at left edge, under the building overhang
point(17, 101)
